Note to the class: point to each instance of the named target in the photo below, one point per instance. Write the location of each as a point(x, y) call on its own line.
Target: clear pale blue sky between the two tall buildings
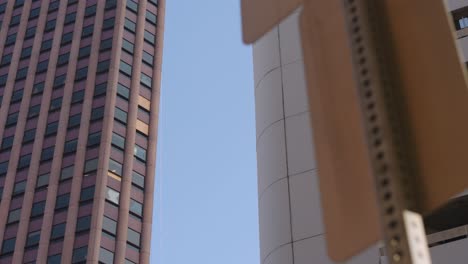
point(206, 204)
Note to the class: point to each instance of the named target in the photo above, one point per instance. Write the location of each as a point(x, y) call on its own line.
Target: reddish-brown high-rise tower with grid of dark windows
point(79, 89)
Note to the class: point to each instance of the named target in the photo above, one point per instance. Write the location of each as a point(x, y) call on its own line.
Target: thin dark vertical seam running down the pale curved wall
point(286, 144)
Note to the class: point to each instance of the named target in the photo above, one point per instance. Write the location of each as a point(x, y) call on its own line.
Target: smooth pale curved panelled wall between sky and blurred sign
point(291, 228)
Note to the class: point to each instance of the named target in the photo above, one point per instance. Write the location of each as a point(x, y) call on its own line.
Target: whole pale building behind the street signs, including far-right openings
point(290, 212)
